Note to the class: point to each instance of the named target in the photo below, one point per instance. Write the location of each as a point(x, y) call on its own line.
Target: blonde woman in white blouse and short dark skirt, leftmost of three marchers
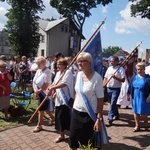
point(41, 81)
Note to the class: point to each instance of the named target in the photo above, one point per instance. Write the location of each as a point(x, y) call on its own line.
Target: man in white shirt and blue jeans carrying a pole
point(113, 79)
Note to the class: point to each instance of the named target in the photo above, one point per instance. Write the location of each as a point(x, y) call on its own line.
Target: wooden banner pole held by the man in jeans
point(125, 61)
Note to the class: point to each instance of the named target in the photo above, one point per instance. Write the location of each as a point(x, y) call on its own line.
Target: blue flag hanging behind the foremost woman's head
point(95, 49)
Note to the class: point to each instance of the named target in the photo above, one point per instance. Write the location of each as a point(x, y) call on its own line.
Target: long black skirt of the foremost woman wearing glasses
point(81, 129)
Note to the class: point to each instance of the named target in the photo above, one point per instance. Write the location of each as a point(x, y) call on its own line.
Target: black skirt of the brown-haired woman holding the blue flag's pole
point(62, 118)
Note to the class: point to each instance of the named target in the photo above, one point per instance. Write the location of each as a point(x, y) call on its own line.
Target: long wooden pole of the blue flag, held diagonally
point(72, 62)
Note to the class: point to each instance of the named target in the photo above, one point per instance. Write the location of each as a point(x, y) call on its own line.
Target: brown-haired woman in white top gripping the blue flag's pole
point(62, 88)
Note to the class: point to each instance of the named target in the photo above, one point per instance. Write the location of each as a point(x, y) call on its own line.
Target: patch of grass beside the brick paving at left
point(20, 120)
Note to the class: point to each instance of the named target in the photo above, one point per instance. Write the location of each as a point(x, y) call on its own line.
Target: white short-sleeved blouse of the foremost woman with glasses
point(93, 89)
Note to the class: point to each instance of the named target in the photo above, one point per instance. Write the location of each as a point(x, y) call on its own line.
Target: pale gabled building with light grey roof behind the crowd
point(60, 35)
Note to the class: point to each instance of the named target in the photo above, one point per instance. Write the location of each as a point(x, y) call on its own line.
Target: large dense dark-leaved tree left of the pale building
point(22, 26)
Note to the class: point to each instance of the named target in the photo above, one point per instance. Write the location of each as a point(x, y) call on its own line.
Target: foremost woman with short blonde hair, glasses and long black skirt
point(82, 125)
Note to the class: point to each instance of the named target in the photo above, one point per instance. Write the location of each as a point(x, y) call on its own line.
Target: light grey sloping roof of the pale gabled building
point(47, 25)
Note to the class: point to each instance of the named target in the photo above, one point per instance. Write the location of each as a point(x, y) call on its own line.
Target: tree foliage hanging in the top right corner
point(141, 8)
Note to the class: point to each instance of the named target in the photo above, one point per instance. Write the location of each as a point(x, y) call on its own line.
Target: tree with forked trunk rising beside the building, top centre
point(77, 10)
